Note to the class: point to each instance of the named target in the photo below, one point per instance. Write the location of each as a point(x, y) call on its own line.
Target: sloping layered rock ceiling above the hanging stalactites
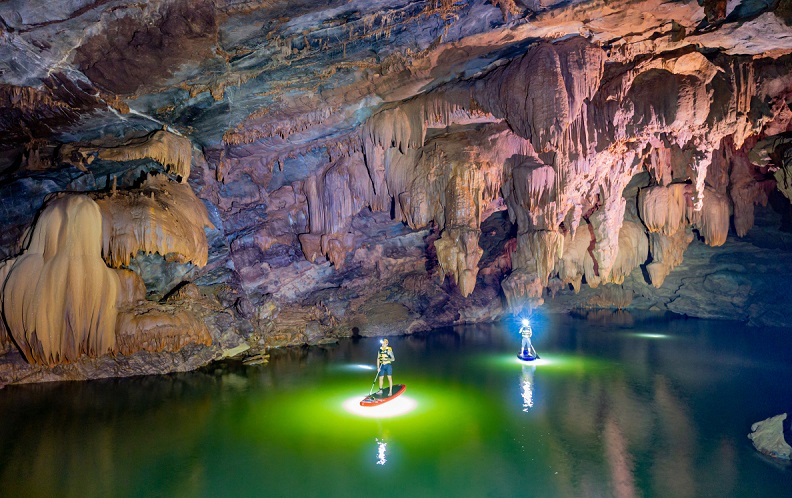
point(273, 79)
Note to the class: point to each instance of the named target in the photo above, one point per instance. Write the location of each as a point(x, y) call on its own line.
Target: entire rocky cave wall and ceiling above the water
point(279, 173)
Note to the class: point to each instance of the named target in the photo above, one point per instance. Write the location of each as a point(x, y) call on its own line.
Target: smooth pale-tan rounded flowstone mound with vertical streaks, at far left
point(59, 299)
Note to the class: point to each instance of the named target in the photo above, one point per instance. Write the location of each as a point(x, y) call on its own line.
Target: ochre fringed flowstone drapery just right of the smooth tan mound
point(160, 217)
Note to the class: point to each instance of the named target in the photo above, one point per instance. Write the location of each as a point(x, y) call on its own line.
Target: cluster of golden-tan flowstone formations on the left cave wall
point(66, 295)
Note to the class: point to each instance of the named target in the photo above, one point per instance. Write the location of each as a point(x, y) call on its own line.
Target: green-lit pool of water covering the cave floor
point(618, 405)
